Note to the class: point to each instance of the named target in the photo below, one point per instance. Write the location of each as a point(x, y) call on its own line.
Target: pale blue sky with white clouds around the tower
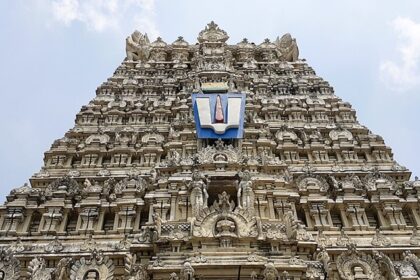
point(54, 54)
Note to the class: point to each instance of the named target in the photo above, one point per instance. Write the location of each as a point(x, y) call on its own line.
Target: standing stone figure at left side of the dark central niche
point(199, 195)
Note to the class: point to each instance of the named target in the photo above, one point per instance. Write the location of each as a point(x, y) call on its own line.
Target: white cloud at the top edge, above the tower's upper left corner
point(102, 15)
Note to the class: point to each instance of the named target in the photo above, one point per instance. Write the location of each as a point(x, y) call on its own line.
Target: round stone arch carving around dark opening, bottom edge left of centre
point(97, 265)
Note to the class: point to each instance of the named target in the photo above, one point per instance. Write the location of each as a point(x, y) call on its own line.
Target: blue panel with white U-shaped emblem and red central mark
point(219, 115)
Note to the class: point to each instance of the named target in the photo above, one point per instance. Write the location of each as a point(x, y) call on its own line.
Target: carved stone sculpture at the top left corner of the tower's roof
point(137, 46)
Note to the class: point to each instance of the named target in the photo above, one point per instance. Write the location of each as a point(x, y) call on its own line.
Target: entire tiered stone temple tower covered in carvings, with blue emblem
point(146, 185)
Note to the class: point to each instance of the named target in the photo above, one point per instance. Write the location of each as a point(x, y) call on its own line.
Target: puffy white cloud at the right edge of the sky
point(404, 75)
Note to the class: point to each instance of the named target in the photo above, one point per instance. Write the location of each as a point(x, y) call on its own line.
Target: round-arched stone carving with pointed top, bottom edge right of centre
point(353, 265)
